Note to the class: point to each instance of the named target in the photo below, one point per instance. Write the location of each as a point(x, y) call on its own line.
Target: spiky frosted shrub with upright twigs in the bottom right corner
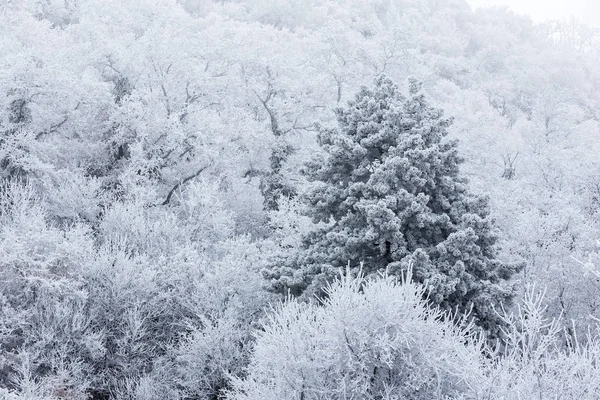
point(535, 363)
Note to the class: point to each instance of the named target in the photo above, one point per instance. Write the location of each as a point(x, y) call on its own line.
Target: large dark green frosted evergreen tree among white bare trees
point(390, 195)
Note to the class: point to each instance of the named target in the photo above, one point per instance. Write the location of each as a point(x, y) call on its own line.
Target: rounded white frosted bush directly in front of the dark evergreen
point(370, 339)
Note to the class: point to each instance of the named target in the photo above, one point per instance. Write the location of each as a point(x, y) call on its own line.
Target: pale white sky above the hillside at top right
point(540, 10)
